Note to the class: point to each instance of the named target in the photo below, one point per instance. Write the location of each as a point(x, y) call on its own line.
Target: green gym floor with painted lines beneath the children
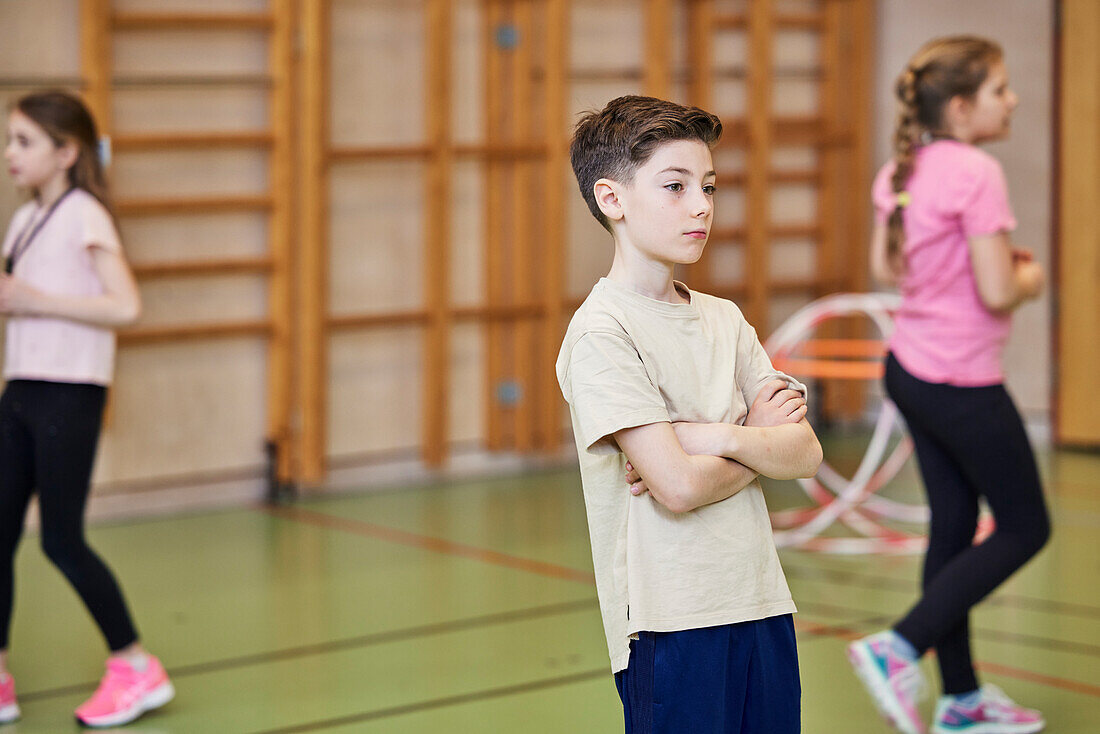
point(470, 608)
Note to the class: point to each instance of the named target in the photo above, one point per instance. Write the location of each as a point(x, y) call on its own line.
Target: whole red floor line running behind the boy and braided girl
point(555, 572)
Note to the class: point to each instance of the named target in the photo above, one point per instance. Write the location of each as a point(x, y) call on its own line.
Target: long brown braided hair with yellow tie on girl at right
point(943, 69)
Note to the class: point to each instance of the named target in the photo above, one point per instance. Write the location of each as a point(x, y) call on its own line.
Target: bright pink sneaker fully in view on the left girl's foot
point(126, 694)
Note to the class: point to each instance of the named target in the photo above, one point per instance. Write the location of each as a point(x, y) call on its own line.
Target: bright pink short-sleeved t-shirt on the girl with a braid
point(944, 334)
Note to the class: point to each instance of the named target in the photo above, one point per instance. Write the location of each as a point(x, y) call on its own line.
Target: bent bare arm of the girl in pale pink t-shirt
point(119, 305)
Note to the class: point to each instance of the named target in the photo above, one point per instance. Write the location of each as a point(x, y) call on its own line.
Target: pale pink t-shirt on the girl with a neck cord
point(60, 261)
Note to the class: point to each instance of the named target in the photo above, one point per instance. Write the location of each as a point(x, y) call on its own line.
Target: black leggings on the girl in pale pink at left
point(49, 432)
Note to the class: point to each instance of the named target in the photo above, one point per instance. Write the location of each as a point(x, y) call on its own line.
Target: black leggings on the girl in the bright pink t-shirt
point(971, 443)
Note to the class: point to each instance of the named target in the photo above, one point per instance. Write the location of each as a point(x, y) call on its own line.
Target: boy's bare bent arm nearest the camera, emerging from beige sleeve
point(676, 479)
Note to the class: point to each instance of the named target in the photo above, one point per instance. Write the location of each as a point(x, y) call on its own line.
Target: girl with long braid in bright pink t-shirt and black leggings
point(942, 236)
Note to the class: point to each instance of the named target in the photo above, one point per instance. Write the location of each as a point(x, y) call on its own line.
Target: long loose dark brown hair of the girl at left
point(67, 119)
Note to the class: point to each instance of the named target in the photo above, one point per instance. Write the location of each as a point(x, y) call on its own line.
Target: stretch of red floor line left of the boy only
point(430, 543)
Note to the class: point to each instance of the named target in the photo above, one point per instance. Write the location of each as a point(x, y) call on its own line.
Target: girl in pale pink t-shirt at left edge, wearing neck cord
point(65, 288)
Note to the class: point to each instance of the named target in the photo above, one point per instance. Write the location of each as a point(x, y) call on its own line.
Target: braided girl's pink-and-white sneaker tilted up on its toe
point(895, 683)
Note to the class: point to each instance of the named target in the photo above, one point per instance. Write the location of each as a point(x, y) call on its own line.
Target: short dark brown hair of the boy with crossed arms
point(615, 141)
